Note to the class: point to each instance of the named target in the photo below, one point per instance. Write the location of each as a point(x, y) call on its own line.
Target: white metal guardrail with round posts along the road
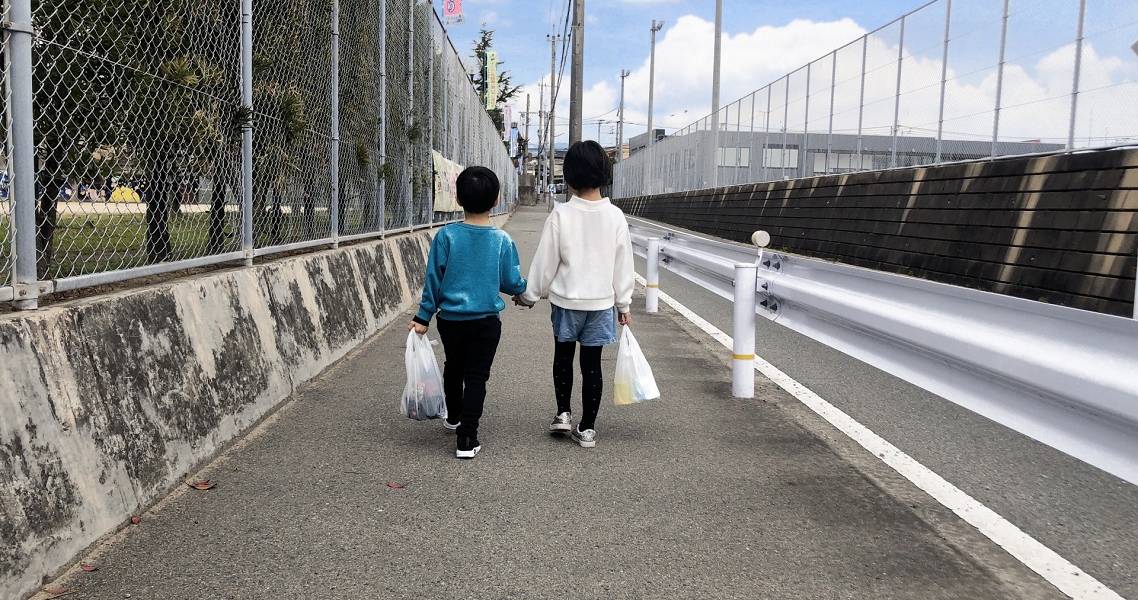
point(1066, 377)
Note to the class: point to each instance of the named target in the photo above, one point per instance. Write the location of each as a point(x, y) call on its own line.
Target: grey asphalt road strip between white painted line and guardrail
point(1087, 516)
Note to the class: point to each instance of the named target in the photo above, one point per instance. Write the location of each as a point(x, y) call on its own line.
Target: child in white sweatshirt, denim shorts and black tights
point(584, 266)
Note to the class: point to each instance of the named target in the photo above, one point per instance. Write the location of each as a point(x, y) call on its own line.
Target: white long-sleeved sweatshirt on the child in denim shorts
point(584, 261)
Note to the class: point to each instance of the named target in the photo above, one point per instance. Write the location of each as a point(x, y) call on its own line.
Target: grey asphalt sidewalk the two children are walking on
point(697, 496)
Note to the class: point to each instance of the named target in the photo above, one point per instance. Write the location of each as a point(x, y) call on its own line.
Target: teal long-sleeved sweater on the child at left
point(467, 269)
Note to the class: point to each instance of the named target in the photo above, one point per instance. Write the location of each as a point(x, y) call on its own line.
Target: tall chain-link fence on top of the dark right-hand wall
point(954, 80)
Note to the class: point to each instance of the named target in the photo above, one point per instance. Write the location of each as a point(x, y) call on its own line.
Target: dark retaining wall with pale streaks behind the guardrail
point(1060, 229)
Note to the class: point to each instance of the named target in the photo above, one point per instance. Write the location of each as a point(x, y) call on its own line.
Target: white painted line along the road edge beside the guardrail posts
point(1058, 571)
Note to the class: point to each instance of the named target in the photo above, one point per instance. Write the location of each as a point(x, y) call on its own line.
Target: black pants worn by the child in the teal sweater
point(471, 348)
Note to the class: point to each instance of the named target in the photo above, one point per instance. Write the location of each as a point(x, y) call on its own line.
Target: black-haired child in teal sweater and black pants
point(469, 266)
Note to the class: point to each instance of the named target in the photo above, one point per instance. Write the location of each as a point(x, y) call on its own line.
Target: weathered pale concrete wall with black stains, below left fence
point(108, 402)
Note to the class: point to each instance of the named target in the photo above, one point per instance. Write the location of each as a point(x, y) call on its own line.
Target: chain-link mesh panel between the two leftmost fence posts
point(137, 133)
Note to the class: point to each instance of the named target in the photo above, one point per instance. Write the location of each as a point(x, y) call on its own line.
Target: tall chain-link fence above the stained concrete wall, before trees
point(178, 134)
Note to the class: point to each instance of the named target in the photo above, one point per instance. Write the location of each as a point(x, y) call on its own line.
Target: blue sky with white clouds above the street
point(765, 40)
